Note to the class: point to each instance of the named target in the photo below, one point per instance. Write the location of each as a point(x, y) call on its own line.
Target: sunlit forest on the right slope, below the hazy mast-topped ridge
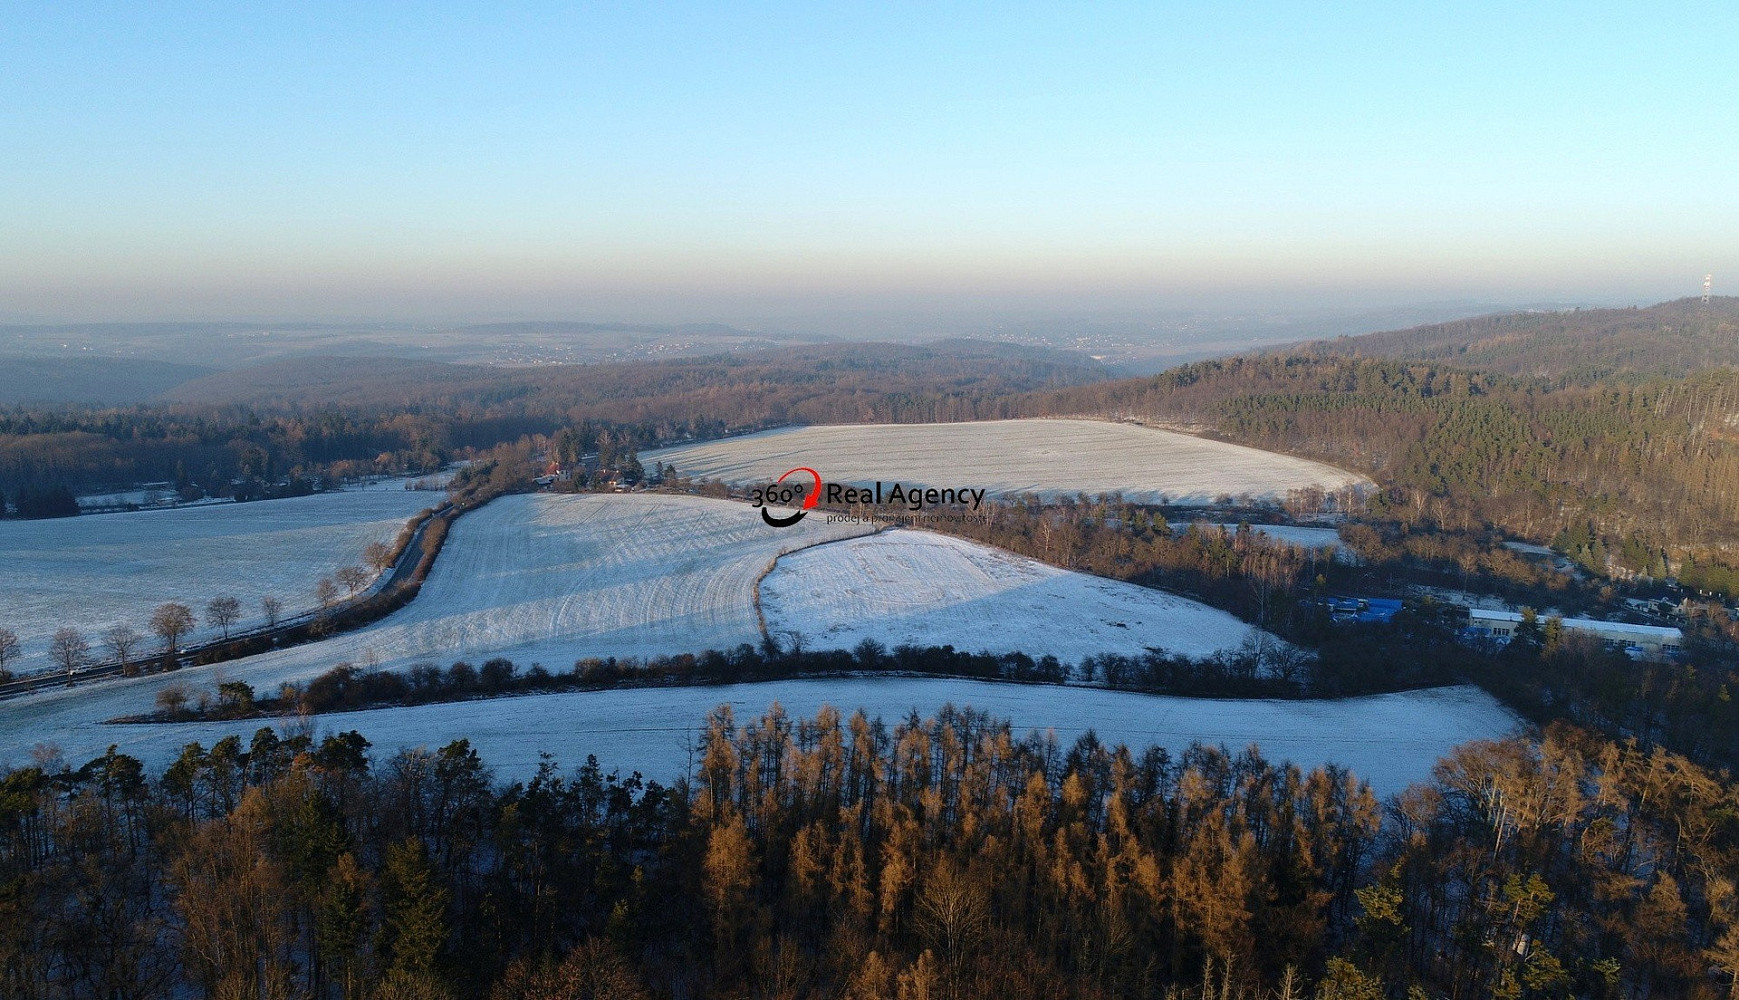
point(1649, 467)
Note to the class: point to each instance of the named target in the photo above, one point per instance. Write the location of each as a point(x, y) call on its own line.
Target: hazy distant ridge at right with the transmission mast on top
point(1578, 347)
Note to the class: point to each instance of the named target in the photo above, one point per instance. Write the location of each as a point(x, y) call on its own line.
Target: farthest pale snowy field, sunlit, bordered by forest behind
point(1011, 457)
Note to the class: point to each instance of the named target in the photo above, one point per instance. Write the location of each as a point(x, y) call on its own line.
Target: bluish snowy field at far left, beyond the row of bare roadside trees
point(100, 571)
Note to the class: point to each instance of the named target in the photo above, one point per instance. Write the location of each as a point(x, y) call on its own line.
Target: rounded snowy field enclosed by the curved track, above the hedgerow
point(914, 587)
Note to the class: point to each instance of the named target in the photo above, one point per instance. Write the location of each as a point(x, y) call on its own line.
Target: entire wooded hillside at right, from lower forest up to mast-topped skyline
point(1634, 437)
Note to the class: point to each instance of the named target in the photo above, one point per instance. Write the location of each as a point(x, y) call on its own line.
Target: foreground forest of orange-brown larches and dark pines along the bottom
point(850, 858)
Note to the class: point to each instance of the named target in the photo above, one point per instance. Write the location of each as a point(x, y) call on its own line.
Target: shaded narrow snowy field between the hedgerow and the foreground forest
point(1387, 740)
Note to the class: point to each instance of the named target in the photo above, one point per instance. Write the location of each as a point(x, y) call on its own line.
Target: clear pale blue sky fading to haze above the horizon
point(716, 161)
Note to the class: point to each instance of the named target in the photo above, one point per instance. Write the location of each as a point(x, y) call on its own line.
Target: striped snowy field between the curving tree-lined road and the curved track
point(535, 578)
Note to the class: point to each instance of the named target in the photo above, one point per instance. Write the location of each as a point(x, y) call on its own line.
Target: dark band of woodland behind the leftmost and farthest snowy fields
point(364, 427)
